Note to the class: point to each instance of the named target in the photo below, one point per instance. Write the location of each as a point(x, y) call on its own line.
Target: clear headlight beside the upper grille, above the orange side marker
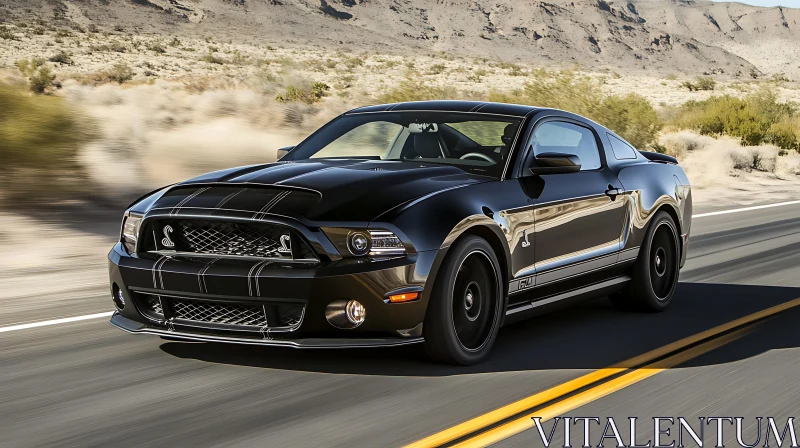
point(359, 242)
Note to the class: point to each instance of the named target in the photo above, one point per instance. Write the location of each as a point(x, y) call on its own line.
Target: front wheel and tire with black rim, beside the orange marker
point(466, 304)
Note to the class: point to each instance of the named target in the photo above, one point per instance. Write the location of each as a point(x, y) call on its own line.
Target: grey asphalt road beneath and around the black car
point(88, 384)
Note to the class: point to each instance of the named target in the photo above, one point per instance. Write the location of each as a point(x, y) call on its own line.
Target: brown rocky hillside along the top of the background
point(659, 36)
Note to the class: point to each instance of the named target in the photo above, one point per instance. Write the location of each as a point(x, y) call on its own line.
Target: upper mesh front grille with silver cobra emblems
point(230, 239)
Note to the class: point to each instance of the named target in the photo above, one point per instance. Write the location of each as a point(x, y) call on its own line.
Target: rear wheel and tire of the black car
point(655, 274)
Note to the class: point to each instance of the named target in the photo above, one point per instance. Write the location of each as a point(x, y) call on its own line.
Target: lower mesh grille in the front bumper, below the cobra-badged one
point(235, 314)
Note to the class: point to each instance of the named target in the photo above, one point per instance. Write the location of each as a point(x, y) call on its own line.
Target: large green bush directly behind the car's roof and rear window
point(631, 116)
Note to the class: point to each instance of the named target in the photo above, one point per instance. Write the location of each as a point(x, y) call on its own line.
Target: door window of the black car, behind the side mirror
point(567, 138)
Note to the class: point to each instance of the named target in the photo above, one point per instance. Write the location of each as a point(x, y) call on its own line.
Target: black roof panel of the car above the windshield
point(484, 107)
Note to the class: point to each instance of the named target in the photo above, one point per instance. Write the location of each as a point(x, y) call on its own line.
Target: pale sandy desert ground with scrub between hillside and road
point(164, 108)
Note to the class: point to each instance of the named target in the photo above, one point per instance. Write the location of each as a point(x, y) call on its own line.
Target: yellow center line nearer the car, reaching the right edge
point(498, 415)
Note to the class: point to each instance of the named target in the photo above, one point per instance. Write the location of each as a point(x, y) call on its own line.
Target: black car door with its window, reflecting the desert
point(577, 218)
